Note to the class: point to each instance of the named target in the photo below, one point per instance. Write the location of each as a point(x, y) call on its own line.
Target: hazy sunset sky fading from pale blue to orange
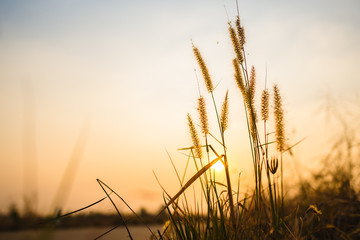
point(109, 84)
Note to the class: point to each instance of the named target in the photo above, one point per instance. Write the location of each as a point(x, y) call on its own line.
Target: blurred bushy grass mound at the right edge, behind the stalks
point(330, 199)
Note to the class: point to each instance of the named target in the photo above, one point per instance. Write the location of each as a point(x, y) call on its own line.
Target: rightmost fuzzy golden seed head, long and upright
point(279, 120)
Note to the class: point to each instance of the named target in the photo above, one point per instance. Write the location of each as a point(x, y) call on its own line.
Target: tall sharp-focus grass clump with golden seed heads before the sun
point(226, 214)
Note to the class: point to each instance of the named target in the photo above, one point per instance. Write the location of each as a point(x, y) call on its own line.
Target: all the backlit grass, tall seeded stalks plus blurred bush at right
point(326, 206)
